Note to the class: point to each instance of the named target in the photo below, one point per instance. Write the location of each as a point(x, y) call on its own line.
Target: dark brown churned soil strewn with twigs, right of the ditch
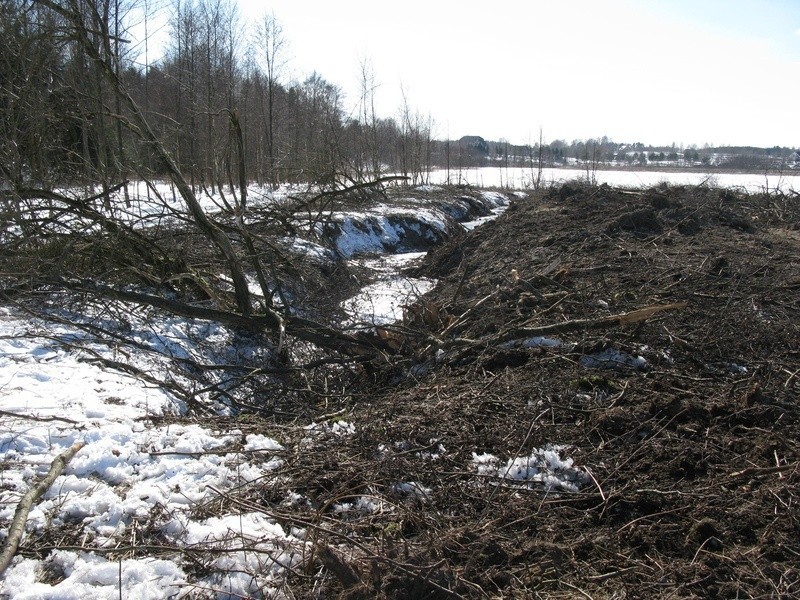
point(691, 484)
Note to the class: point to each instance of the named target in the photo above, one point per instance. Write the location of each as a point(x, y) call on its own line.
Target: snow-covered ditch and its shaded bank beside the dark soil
point(380, 240)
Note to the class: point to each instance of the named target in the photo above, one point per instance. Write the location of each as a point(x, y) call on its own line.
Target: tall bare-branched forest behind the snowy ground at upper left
point(219, 85)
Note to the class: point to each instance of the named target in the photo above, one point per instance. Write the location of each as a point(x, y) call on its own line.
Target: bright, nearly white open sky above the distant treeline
point(682, 71)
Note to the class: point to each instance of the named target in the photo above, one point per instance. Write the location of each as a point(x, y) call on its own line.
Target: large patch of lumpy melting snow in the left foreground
point(56, 393)
